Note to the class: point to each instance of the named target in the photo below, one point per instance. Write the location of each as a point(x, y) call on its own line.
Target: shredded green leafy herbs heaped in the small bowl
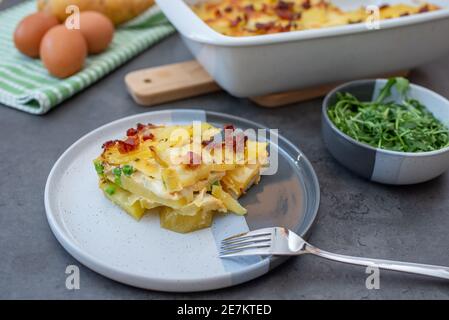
point(406, 127)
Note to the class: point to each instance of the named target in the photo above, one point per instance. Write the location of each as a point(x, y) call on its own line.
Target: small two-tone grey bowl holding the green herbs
point(389, 167)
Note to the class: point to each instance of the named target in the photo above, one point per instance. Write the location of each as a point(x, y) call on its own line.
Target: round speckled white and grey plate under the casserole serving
point(142, 254)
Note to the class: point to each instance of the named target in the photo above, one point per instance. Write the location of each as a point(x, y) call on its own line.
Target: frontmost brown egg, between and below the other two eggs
point(63, 51)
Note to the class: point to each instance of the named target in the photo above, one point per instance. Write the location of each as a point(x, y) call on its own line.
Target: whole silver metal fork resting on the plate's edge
point(283, 242)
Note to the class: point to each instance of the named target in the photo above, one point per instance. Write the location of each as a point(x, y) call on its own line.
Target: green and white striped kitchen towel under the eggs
point(25, 83)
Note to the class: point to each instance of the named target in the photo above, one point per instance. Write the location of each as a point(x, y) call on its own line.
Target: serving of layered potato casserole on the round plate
point(186, 173)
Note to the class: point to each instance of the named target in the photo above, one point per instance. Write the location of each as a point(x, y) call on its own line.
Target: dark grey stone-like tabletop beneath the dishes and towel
point(356, 217)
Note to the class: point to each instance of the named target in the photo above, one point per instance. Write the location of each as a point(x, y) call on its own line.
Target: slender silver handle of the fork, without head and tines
point(423, 269)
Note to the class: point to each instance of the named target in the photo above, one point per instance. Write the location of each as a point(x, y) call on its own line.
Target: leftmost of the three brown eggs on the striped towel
point(31, 30)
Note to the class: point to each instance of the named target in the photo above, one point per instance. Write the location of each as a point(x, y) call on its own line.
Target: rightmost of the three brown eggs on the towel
point(97, 29)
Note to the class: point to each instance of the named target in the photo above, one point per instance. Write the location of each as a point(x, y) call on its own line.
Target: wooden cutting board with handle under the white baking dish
point(154, 86)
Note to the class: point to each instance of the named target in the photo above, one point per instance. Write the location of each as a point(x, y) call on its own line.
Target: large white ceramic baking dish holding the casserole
point(259, 65)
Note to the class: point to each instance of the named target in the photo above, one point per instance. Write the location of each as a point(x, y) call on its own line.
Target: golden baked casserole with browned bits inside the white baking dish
point(255, 17)
